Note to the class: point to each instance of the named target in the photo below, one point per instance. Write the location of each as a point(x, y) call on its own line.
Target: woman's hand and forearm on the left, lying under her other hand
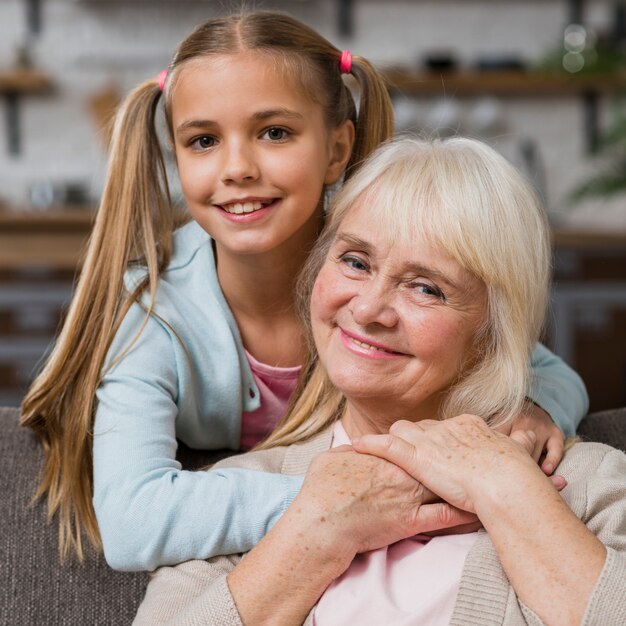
point(349, 503)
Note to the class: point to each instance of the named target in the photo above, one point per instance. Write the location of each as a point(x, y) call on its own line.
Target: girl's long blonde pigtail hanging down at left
point(133, 225)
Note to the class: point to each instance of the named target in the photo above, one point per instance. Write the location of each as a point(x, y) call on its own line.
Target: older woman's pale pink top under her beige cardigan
point(414, 581)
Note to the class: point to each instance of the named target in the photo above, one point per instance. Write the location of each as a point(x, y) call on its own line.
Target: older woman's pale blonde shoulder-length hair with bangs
point(469, 202)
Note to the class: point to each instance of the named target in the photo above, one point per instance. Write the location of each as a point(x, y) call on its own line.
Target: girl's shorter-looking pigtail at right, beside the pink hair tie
point(374, 121)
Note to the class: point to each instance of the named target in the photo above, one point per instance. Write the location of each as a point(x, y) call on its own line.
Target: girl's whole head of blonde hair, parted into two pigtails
point(134, 225)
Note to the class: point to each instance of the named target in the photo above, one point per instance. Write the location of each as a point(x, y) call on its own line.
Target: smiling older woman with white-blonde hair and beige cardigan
point(426, 295)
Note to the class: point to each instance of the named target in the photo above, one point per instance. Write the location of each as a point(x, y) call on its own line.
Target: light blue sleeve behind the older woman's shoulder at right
point(558, 390)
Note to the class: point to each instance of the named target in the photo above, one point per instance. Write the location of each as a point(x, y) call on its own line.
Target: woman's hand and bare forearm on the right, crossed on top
point(551, 559)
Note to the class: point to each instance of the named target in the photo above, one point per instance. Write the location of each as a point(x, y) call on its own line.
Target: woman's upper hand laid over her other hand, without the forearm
point(460, 459)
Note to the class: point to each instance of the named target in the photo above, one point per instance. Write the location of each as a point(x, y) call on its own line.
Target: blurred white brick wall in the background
point(89, 44)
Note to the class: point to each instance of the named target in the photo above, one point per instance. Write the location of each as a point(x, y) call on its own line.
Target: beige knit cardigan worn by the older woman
point(196, 593)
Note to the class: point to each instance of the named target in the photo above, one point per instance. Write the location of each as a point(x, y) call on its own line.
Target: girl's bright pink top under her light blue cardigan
point(276, 384)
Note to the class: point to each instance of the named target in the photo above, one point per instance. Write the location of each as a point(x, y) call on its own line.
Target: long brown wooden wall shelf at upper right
point(501, 83)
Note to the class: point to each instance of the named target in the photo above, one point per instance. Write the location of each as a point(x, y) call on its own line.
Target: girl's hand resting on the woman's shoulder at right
point(549, 438)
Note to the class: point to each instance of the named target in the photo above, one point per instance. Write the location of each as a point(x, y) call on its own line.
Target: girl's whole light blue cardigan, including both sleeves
point(187, 377)
